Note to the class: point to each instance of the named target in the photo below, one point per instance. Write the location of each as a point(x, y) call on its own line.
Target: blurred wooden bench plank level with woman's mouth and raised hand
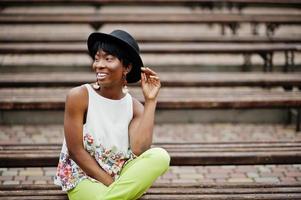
point(168, 79)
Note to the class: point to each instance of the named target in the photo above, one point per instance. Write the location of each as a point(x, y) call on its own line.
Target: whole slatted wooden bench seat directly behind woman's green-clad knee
point(182, 154)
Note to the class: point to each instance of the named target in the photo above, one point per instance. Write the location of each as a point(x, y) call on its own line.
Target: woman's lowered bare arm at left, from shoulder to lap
point(75, 107)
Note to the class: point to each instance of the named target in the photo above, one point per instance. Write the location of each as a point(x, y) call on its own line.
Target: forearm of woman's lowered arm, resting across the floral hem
point(89, 165)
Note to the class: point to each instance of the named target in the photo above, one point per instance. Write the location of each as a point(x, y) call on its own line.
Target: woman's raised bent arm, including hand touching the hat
point(141, 127)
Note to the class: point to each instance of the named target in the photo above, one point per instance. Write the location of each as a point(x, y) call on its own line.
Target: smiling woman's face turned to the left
point(108, 68)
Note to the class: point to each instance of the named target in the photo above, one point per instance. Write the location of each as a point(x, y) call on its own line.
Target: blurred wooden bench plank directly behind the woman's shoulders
point(169, 98)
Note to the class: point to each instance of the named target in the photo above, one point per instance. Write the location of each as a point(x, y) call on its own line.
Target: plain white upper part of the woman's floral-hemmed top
point(108, 120)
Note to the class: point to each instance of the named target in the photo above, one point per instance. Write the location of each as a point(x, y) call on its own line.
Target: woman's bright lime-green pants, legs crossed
point(136, 177)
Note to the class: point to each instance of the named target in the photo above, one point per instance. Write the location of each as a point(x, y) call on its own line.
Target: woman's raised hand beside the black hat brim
point(150, 83)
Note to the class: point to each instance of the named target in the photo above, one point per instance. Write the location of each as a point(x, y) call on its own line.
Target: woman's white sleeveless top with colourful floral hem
point(105, 137)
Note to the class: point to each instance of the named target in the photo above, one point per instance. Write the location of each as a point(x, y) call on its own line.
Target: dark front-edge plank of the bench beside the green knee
point(50, 159)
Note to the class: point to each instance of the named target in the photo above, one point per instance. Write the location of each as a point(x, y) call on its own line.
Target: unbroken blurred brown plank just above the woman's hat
point(99, 19)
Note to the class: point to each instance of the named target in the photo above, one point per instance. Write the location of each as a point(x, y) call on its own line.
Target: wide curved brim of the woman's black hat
point(135, 74)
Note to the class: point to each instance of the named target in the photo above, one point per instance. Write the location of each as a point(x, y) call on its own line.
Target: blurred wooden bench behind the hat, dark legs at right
point(266, 51)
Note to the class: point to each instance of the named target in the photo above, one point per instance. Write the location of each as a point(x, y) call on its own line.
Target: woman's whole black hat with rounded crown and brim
point(126, 41)
